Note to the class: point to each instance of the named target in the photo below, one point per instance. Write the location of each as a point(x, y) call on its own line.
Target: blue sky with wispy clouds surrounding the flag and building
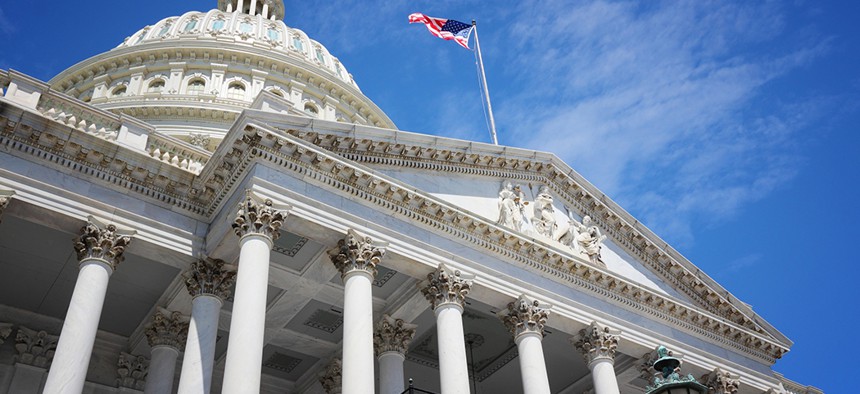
point(728, 128)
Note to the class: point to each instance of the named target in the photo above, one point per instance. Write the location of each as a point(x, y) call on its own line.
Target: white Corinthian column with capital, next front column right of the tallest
point(356, 258)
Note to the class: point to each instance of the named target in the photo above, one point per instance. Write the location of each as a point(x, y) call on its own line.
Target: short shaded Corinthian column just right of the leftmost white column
point(166, 335)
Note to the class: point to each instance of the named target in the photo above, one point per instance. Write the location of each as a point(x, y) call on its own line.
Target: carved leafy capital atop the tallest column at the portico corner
point(257, 216)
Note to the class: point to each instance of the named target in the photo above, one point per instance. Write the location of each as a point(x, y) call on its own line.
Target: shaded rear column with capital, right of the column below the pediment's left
point(390, 340)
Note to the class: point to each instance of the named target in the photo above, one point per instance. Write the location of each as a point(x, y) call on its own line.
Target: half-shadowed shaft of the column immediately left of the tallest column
point(199, 359)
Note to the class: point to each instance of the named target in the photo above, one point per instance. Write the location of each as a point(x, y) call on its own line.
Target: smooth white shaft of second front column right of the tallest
point(453, 371)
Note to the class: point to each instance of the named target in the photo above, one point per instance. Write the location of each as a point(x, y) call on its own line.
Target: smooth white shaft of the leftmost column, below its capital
point(69, 369)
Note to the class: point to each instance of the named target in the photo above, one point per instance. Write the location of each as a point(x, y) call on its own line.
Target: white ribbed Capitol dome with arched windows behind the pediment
point(191, 75)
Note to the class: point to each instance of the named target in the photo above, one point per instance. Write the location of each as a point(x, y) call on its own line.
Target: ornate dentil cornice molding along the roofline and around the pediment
point(300, 152)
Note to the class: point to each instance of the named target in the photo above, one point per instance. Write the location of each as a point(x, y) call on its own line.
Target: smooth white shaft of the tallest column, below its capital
point(248, 324)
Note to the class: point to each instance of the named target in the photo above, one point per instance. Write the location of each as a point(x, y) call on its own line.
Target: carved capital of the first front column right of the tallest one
point(356, 253)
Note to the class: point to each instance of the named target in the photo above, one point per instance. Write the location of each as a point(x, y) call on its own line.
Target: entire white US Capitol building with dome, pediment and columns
point(213, 206)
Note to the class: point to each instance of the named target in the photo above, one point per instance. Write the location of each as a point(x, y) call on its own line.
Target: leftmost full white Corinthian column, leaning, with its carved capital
point(99, 249)
